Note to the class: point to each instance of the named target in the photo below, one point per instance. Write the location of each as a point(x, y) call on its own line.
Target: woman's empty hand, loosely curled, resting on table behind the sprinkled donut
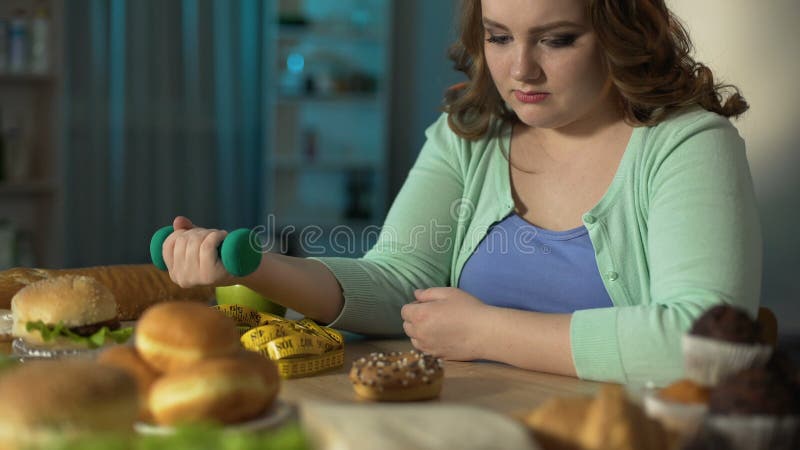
point(446, 322)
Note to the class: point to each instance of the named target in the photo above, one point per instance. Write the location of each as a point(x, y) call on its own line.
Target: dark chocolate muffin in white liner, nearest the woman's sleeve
point(721, 342)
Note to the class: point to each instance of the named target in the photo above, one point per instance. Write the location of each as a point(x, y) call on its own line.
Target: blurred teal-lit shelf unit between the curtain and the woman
point(329, 104)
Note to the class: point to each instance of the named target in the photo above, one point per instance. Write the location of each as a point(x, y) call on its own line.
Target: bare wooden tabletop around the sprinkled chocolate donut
point(490, 385)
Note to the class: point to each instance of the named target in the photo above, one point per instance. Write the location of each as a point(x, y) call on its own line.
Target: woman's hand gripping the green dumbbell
point(191, 255)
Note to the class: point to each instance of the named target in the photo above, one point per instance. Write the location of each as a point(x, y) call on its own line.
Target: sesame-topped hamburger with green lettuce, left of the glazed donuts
point(70, 312)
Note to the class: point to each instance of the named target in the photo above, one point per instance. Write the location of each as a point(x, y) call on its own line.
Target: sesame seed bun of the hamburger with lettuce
point(74, 300)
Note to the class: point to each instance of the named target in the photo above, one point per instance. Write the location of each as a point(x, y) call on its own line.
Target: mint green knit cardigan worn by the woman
point(676, 231)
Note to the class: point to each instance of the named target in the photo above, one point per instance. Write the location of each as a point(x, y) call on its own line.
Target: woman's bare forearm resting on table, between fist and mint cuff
point(529, 340)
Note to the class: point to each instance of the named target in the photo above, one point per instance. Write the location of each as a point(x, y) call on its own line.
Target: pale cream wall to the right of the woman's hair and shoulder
point(755, 45)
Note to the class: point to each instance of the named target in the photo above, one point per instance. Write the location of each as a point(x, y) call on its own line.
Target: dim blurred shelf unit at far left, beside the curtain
point(29, 186)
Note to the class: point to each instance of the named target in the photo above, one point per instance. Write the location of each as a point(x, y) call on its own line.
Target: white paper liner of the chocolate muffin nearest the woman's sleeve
point(707, 361)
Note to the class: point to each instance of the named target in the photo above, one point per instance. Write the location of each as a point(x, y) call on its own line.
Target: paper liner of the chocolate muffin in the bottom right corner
point(757, 432)
